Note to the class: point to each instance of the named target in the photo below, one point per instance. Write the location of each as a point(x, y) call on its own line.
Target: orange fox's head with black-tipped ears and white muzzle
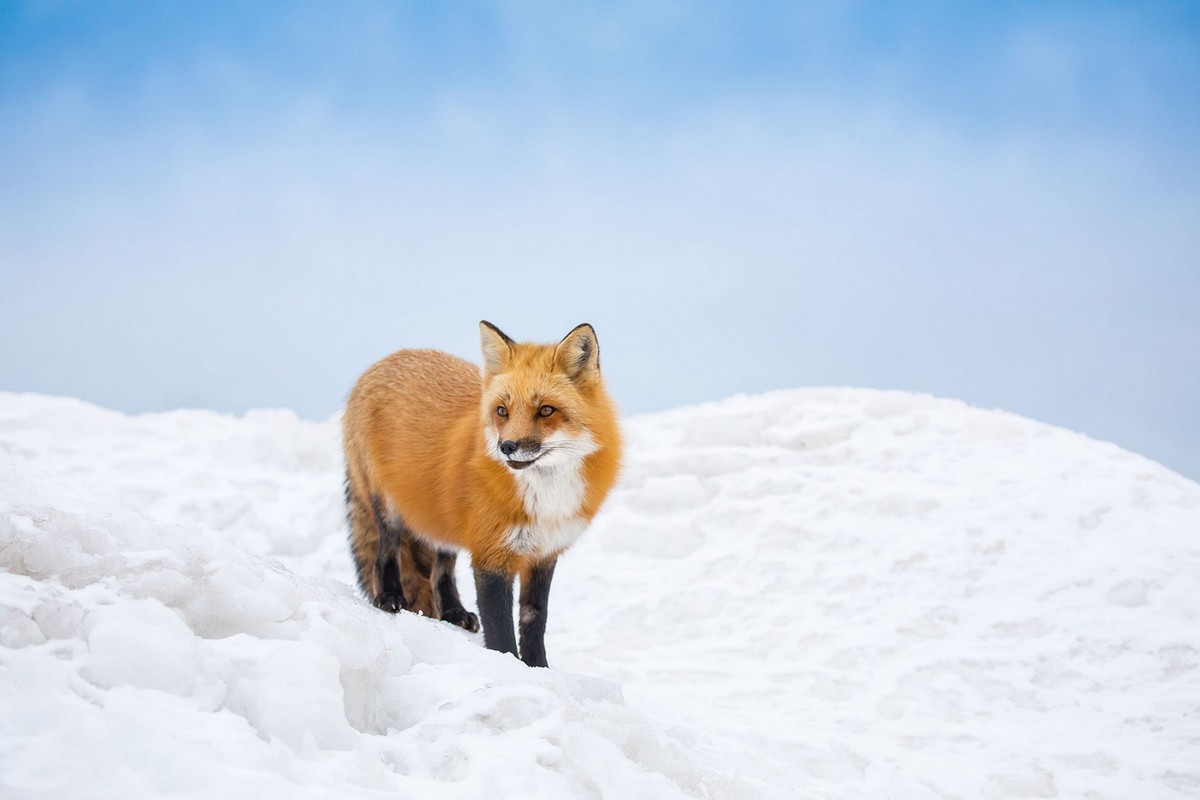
point(543, 404)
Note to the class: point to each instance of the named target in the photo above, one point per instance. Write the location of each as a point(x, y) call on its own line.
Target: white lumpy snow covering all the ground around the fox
point(807, 594)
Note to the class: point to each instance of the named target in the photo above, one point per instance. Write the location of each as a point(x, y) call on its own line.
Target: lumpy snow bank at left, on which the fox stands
point(151, 647)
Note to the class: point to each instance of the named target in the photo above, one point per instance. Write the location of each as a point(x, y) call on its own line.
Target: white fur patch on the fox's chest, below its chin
point(554, 498)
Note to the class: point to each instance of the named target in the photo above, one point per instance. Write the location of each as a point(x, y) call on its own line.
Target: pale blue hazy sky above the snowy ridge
point(239, 207)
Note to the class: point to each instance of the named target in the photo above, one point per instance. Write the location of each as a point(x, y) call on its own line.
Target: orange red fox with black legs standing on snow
point(509, 462)
